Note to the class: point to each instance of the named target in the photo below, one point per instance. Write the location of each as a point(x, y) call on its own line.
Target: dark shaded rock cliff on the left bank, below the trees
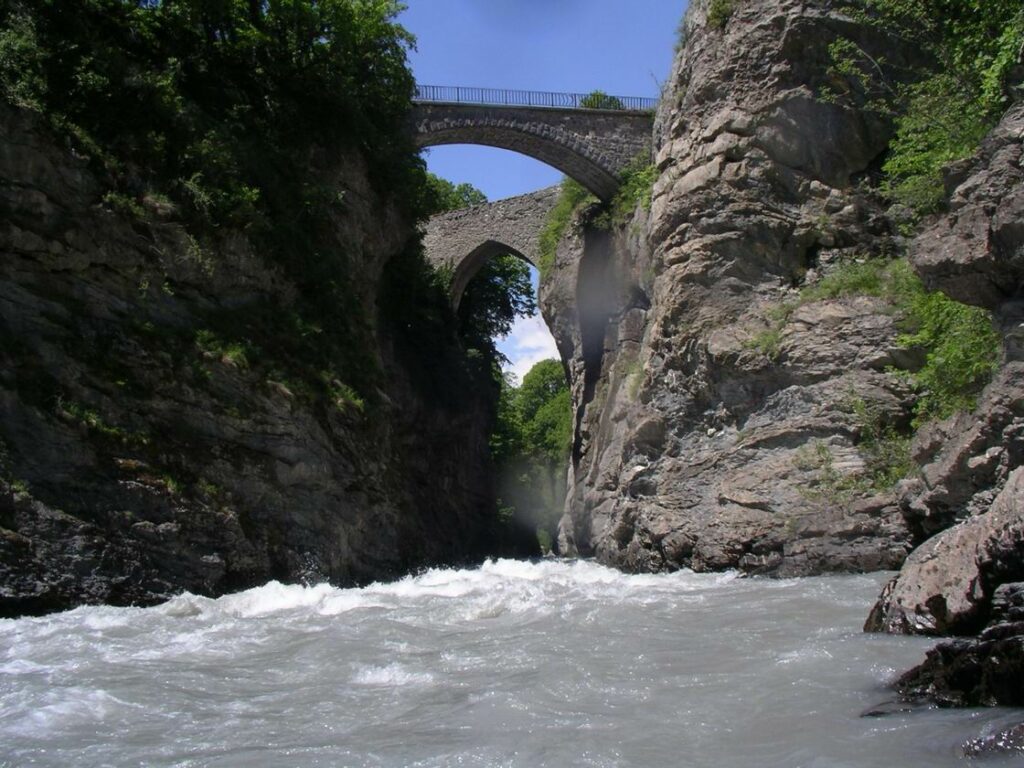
point(136, 463)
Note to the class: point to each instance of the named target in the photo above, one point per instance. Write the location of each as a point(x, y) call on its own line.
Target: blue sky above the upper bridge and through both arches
point(623, 48)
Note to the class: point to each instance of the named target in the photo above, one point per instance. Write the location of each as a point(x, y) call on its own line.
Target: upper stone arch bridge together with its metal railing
point(589, 138)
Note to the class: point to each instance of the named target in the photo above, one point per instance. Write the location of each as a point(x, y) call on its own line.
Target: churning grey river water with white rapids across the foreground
point(514, 664)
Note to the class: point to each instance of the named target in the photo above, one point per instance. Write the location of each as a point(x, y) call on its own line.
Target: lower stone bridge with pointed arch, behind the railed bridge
point(463, 241)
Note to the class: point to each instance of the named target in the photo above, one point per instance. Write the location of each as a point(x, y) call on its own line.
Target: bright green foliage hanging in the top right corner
point(944, 108)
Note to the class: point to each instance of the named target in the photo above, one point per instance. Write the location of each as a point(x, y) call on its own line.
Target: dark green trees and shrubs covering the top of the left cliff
point(232, 116)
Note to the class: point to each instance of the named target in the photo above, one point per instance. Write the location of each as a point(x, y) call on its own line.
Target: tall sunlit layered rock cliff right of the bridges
point(723, 421)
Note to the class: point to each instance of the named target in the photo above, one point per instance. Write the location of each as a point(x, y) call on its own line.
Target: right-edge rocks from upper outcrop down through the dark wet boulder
point(967, 579)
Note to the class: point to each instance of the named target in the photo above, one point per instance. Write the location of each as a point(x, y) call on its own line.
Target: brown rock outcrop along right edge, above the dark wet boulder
point(970, 464)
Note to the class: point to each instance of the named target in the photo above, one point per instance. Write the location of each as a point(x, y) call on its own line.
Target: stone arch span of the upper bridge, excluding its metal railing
point(592, 147)
